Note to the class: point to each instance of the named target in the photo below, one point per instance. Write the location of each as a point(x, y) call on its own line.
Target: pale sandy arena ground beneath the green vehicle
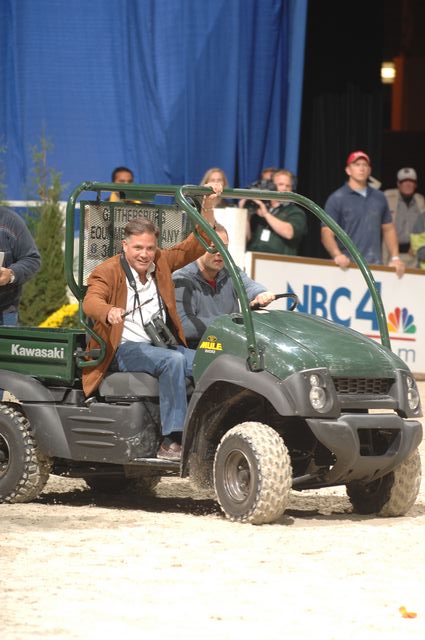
point(173, 567)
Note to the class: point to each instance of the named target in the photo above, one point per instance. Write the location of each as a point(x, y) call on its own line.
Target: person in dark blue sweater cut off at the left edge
point(19, 261)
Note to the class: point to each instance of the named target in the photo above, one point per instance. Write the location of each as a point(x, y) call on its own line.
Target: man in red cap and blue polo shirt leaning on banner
point(363, 213)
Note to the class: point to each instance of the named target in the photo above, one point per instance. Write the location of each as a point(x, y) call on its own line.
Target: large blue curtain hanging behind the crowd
point(166, 87)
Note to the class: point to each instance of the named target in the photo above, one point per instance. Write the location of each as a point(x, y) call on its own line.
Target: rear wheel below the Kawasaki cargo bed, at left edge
point(24, 471)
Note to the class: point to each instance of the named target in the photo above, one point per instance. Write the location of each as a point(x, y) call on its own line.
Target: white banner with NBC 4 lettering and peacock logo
point(327, 291)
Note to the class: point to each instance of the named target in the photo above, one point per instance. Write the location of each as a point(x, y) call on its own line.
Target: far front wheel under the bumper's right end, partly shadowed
point(393, 494)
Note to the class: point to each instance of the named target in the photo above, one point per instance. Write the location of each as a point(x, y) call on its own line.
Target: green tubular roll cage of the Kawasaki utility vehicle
point(147, 193)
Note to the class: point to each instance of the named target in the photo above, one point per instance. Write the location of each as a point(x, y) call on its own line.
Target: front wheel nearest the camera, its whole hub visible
point(252, 474)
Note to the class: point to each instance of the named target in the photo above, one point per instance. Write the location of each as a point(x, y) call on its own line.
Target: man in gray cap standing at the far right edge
point(406, 206)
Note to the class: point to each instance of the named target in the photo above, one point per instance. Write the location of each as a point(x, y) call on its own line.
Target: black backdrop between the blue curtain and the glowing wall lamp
point(342, 99)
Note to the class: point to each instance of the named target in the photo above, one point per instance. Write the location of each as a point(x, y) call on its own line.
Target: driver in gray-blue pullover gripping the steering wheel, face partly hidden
point(204, 290)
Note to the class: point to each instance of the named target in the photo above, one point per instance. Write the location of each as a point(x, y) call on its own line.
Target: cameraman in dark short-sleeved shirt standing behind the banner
point(279, 226)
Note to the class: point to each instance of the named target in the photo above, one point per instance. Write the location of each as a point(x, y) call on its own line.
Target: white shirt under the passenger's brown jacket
point(148, 295)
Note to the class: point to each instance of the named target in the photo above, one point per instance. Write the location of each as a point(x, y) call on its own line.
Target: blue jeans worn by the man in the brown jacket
point(171, 367)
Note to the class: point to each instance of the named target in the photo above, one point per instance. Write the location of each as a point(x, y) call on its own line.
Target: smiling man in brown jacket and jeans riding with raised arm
point(131, 299)
